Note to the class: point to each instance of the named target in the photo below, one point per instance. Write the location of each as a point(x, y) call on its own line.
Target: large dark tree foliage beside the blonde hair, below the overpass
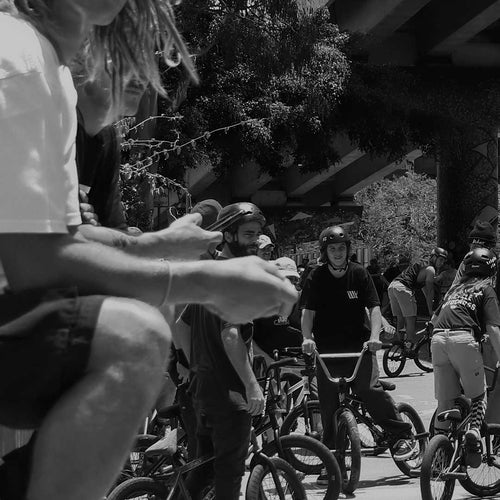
point(266, 60)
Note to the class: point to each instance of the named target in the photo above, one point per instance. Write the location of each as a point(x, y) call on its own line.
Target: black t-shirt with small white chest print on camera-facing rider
point(339, 304)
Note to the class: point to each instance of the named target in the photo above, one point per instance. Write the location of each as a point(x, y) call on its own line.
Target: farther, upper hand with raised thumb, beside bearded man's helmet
point(185, 239)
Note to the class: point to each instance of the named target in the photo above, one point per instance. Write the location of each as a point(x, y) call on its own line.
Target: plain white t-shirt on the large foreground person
point(38, 176)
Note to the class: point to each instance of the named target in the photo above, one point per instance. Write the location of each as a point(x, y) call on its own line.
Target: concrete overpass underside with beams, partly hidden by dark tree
point(398, 32)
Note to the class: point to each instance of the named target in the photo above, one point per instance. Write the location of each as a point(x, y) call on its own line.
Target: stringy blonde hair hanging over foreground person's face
point(130, 47)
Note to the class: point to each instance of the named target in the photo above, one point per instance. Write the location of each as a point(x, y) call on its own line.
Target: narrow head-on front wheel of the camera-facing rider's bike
point(348, 451)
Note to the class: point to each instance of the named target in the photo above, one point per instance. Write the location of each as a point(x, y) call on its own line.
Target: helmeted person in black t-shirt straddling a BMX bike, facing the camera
point(335, 298)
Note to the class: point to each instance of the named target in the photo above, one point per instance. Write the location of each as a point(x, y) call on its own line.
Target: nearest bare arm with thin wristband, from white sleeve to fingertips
point(238, 290)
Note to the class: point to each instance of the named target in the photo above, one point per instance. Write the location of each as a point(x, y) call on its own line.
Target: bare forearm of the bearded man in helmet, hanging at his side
point(237, 353)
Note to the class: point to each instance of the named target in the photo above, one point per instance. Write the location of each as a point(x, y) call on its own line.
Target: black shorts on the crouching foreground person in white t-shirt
point(45, 341)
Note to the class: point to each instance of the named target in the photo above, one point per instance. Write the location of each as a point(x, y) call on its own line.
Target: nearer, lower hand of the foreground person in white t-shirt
point(245, 288)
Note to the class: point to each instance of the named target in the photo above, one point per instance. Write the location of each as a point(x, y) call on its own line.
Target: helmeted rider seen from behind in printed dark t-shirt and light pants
point(469, 310)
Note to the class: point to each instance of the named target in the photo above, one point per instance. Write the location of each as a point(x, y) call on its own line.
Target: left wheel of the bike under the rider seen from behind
point(437, 460)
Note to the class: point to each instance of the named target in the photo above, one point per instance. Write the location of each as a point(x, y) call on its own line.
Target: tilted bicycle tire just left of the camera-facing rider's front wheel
point(323, 459)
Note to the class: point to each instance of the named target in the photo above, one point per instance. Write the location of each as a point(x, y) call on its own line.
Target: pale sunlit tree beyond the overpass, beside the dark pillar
point(399, 216)
